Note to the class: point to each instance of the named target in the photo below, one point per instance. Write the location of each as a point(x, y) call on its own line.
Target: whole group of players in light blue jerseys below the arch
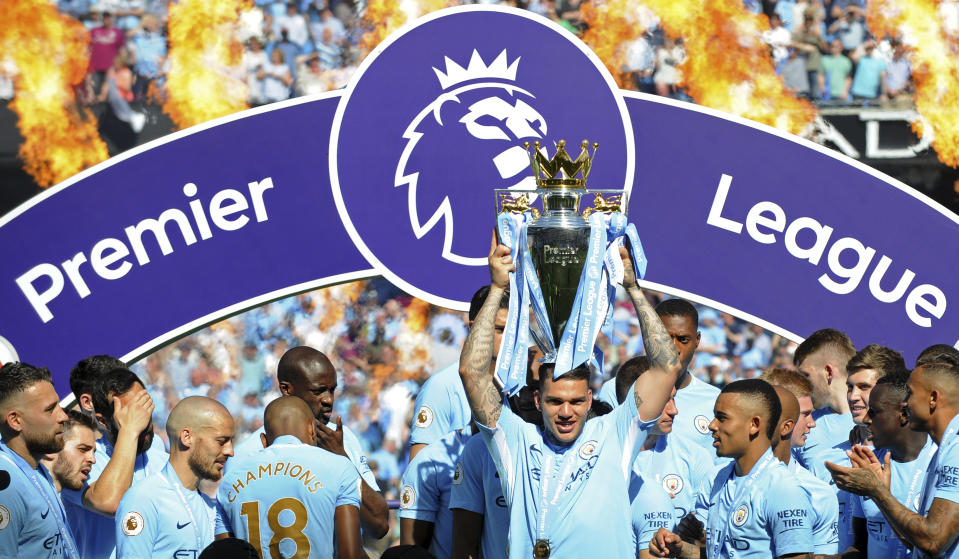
point(851, 454)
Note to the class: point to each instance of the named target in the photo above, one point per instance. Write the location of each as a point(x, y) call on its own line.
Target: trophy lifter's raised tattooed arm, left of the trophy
point(485, 400)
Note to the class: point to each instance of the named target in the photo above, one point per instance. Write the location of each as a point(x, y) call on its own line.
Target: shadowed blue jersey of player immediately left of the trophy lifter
point(476, 488)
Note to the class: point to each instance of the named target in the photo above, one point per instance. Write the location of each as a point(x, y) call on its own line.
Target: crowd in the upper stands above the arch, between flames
point(822, 48)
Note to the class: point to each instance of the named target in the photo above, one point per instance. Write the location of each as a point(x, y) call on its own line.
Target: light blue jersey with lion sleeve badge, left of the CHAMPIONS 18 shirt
point(160, 518)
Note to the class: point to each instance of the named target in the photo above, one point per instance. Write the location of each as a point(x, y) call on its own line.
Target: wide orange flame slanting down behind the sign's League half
point(727, 65)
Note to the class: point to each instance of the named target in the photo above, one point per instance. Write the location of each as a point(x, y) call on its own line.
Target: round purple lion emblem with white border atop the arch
point(440, 112)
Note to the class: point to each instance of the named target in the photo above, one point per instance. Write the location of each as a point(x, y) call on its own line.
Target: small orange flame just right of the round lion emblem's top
point(612, 25)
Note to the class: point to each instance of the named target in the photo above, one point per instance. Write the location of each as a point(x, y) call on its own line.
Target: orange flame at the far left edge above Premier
point(50, 53)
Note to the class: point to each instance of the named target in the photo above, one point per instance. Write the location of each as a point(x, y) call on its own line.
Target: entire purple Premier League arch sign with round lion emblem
point(394, 176)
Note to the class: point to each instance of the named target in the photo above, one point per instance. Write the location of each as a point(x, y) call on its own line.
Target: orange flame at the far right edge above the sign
point(935, 66)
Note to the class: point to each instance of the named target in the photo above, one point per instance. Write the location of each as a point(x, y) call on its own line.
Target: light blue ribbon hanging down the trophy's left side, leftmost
point(512, 358)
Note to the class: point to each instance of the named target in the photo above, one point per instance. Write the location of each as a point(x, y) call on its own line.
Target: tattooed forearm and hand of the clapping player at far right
point(933, 534)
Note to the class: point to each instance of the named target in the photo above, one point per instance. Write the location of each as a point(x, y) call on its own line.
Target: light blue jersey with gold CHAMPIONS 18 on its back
point(282, 498)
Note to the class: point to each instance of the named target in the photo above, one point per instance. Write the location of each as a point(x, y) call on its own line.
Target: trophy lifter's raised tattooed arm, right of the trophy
point(656, 385)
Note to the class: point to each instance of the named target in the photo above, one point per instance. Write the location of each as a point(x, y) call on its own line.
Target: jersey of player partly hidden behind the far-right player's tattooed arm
point(907, 483)
